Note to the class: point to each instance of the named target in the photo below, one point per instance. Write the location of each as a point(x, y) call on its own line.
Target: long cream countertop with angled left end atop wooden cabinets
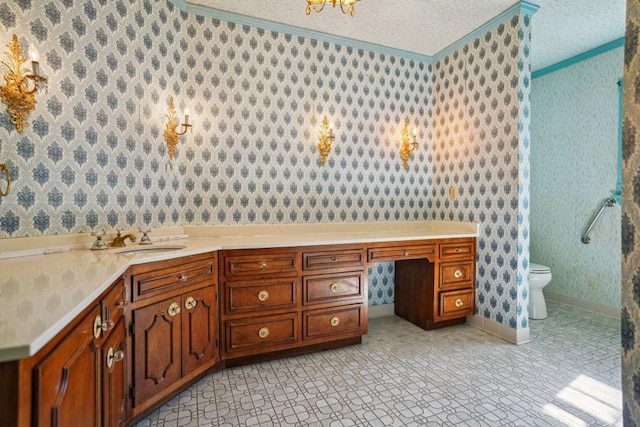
point(41, 294)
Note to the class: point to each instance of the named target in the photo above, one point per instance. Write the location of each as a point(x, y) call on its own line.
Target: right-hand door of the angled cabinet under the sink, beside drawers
point(199, 328)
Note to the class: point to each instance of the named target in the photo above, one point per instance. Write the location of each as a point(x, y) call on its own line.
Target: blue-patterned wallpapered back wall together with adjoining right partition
point(94, 157)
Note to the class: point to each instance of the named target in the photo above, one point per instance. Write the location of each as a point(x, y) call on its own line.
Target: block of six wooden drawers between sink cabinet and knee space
point(281, 299)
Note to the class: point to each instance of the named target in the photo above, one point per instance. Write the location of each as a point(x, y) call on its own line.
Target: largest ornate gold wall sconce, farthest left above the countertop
point(20, 87)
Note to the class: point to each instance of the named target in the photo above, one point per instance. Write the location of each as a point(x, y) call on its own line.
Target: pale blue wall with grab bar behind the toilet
point(574, 168)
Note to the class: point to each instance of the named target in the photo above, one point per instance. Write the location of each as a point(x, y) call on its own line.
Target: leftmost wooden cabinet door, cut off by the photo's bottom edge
point(66, 381)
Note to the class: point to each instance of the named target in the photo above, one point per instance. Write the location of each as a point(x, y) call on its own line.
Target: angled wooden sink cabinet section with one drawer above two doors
point(173, 326)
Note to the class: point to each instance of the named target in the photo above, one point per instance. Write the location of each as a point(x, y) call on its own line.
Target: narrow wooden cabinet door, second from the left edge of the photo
point(114, 393)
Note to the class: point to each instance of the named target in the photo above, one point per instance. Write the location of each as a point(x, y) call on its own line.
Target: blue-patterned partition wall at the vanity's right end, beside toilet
point(482, 100)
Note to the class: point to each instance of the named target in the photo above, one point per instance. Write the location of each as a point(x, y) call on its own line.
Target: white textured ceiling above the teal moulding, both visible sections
point(561, 28)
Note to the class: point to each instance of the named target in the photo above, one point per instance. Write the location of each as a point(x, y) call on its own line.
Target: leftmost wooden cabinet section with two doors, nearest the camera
point(78, 378)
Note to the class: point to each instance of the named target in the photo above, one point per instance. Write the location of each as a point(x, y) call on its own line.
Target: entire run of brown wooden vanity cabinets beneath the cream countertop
point(159, 327)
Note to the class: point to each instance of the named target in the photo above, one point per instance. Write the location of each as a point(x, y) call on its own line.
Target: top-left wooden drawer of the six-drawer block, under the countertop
point(276, 263)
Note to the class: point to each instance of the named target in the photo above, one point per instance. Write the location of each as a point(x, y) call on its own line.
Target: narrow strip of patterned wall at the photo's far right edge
point(630, 327)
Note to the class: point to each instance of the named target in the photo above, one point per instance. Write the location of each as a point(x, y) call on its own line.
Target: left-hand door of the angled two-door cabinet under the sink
point(156, 349)
